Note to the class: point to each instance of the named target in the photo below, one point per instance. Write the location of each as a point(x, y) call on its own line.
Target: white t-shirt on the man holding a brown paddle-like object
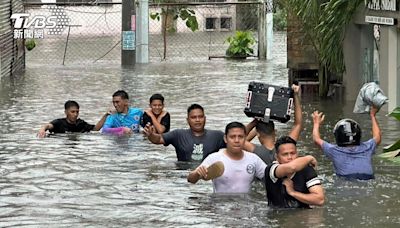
point(238, 174)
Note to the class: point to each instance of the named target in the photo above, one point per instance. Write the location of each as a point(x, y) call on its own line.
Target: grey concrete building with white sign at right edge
point(372, 50)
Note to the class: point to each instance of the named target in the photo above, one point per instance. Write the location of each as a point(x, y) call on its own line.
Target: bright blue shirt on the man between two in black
point(119, 120)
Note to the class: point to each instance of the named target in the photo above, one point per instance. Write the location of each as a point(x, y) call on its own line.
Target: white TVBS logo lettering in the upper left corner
point(37, 22)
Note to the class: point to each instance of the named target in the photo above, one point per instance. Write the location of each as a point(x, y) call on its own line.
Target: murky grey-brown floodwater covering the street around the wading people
point(93, 180)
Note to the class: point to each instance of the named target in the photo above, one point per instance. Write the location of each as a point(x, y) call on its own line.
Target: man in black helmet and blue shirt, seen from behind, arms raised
point(351, 157)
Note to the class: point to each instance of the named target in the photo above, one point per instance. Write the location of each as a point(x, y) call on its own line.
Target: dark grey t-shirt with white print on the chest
point(189, 147)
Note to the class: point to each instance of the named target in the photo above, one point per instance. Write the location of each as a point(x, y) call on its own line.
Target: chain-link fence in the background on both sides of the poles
point(92, 33)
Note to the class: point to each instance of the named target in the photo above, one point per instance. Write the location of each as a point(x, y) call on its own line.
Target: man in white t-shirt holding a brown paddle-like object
point(240, 167)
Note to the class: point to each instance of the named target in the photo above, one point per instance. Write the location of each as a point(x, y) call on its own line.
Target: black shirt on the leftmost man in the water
point(62, 126)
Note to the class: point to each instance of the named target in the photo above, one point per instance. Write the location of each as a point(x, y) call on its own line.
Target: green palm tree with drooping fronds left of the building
point(324, 23)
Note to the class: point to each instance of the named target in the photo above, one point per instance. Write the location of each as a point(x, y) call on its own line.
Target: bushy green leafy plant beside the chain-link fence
point(240, 45)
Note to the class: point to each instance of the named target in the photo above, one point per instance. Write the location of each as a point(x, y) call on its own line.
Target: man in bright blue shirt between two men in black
point(126, 120)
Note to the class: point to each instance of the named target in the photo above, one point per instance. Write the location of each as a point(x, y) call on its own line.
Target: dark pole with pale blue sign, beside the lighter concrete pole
point(128, 33)
